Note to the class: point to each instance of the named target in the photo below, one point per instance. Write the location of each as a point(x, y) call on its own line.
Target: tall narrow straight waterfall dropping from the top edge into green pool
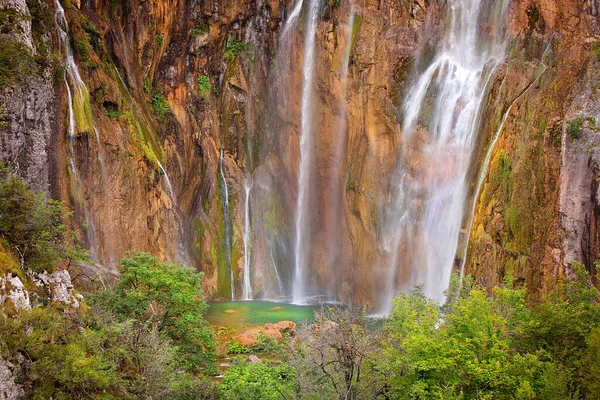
point(306, 151)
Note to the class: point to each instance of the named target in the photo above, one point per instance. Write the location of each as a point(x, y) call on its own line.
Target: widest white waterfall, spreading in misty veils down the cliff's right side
point(440, 130)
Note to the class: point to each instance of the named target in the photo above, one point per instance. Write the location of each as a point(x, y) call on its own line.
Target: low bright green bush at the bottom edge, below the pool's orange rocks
point(247, 381)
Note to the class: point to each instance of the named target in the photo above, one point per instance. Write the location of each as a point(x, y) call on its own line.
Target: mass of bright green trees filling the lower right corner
point(493, 347)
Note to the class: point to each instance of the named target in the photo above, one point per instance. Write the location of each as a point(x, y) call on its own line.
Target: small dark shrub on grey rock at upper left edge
point(16, 61)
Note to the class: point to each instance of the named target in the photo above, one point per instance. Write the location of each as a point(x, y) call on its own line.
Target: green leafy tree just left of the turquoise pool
point(168, 298)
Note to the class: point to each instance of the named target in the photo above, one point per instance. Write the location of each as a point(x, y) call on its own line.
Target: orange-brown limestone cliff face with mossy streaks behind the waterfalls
point(169, 84)
